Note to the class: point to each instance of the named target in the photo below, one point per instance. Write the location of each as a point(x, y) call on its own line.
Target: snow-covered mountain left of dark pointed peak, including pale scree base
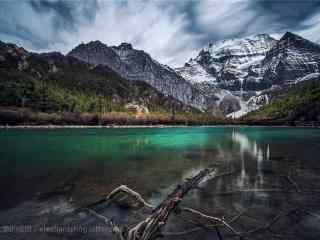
point(230, 71)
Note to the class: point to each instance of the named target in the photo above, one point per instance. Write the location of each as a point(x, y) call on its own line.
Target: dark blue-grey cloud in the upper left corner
point(37, 24)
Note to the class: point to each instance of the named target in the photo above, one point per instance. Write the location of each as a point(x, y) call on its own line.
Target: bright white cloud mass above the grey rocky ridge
point(151, 26)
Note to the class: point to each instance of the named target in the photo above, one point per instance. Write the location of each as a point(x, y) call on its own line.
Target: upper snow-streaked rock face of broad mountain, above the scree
point(229, 64)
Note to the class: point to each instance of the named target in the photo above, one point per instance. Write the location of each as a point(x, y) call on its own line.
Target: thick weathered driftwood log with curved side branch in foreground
point(150, 228)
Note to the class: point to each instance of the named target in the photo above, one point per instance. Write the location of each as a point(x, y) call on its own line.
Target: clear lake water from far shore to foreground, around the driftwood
point(153, 160)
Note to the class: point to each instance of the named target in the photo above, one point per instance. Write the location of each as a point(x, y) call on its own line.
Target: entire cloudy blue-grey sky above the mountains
point(172, 31)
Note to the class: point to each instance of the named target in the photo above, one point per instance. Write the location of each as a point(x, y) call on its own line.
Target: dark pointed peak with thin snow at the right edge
point(293, 57)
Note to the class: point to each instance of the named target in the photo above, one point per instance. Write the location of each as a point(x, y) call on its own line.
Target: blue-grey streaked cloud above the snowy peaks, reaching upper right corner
point(234, 18)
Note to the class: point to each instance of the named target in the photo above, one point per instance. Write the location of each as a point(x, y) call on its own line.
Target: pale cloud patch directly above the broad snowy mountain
point(233, 18)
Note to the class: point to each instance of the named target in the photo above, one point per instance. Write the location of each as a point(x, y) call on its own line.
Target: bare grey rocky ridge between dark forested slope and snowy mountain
point(136, 65)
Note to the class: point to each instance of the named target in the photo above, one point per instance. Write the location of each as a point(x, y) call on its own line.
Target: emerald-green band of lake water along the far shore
point(37, 151)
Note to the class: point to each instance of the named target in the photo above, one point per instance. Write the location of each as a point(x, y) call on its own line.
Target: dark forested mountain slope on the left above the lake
point(23, 75)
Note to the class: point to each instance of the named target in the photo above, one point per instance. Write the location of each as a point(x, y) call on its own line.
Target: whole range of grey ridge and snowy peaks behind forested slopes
point(227, 76)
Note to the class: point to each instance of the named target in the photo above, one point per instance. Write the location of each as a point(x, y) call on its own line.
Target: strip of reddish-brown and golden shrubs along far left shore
point(24, 116)
